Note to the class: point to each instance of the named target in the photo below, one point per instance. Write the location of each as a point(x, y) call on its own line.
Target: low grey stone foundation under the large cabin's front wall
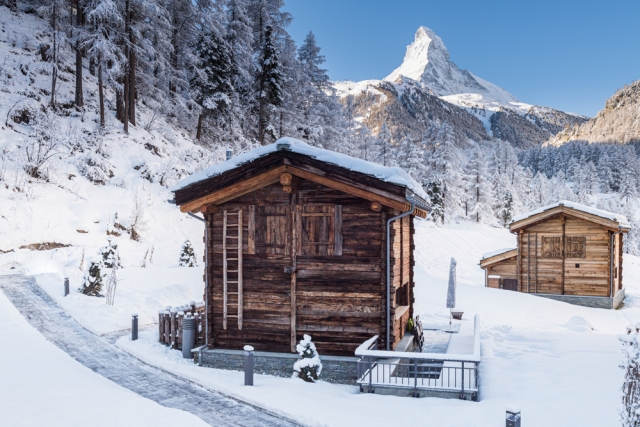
point(335, 369)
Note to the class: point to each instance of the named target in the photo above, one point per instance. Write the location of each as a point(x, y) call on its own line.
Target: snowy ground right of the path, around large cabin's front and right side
point(555, 361)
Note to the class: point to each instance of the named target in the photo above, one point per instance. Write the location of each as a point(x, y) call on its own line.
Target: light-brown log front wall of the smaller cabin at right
point(564, 273)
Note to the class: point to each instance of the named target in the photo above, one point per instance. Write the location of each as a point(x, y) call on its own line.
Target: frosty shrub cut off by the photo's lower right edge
point(630, 410)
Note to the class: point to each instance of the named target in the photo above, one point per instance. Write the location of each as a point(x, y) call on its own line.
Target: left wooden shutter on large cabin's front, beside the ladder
point(271, 230)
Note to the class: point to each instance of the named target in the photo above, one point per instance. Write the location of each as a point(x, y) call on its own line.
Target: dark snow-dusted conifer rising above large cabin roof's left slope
point(211, 82)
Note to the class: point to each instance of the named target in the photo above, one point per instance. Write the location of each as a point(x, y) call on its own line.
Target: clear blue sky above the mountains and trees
point(565, 54)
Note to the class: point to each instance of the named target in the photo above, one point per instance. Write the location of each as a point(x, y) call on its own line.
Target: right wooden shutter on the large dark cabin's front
point(320, 230)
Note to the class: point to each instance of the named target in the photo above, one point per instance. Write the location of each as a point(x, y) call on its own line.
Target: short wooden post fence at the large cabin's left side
point(170, 324)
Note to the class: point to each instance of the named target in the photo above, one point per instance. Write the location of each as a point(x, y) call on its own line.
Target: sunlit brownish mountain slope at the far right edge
point(618, 122)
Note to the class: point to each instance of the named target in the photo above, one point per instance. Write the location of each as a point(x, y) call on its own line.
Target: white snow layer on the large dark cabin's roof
point(392, 175)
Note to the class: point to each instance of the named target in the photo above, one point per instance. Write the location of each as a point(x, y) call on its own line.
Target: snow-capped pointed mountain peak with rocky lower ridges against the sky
point(405, 100)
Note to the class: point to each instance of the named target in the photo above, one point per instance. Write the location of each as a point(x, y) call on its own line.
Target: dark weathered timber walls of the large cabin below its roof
point(338, 288)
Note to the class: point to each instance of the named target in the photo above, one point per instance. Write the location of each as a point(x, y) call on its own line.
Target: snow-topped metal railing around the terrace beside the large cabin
point(420, 371)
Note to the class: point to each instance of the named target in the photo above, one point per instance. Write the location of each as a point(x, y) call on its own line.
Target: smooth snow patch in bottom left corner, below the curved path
point(43, 386)
